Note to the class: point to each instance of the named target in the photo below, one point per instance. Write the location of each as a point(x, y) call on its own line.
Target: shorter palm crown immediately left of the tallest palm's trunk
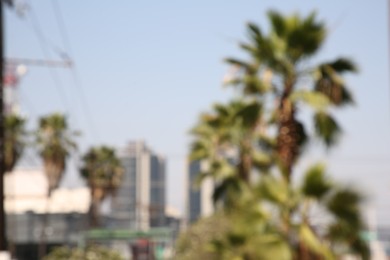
point(225, 139)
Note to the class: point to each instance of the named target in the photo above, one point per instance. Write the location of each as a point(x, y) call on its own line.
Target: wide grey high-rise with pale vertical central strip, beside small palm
point(140, 201)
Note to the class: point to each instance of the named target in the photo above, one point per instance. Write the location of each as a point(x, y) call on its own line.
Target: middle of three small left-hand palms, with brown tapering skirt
point(54, 141)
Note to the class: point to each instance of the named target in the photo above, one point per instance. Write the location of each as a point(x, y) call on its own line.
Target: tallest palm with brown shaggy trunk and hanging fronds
point(280, 70)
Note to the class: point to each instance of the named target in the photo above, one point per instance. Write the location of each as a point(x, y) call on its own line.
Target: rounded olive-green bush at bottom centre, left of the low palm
point(232, 236)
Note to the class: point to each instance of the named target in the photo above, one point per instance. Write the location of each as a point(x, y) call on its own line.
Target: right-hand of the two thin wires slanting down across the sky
point(75, 74)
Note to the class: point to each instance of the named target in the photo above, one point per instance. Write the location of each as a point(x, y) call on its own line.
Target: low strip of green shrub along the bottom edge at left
point(89, 253)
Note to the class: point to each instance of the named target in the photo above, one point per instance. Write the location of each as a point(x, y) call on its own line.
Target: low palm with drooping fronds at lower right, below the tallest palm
point(319, 218)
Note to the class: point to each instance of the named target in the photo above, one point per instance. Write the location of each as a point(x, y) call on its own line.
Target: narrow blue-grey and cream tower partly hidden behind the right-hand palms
point(199, 197)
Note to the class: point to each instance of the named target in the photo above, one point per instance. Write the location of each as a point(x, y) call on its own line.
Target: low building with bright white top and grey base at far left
point(26, 204)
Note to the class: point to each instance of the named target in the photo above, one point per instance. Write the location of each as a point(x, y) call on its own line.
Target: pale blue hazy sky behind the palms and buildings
point(146, 69)
